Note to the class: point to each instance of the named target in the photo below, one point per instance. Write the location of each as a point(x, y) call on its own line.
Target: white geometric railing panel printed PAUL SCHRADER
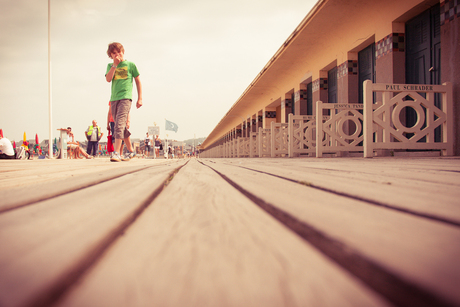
point(387, 117)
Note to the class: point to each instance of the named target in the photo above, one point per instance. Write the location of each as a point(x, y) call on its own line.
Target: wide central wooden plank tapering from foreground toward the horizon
point(202, 243)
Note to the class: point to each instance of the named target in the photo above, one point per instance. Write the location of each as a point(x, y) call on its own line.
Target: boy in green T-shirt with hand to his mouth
point(121, 74)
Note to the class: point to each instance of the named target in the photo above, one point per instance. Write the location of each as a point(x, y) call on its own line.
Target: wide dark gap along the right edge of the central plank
point(395, 288)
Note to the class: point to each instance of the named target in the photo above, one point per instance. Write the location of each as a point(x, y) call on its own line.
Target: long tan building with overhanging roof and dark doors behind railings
point(339, 45)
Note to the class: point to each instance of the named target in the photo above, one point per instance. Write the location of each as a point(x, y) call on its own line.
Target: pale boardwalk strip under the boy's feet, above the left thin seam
point(33, 182)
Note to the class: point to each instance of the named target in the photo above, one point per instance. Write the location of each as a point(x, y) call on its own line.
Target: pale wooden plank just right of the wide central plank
point(421, 251)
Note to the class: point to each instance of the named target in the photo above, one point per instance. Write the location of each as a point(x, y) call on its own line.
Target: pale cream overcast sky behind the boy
point(195, 59)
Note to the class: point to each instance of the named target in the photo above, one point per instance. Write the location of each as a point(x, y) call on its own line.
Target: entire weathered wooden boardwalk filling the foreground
point(230, 232)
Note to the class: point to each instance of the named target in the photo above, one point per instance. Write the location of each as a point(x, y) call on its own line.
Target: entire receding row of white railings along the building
point(359, 127)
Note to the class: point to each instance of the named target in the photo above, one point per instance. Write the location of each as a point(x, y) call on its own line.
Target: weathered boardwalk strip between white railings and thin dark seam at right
point(425, 187)
